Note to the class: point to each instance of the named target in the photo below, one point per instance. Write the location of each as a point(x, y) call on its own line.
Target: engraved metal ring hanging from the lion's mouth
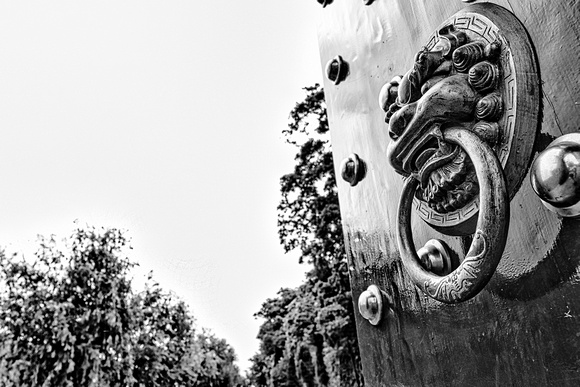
point(490, 236)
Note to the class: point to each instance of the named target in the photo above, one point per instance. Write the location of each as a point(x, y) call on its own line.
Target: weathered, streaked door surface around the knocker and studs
point(522, 329)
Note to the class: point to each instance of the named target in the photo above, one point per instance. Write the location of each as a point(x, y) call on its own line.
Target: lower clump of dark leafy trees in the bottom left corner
point(72, 319)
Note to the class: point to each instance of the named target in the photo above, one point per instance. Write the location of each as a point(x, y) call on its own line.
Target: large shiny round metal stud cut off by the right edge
point(555, 175)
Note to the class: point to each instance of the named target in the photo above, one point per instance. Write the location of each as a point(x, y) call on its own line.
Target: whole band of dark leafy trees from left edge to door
point(71, 318)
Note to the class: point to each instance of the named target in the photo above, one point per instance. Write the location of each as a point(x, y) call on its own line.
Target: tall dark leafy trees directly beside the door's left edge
point(308, 337)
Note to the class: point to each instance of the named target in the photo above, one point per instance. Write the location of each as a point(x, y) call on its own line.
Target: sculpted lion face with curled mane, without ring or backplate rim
point(456, 83)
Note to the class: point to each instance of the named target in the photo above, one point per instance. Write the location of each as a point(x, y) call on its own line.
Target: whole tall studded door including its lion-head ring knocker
point(437, 109)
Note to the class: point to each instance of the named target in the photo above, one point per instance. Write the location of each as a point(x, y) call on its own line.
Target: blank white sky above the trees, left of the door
point(162, 118)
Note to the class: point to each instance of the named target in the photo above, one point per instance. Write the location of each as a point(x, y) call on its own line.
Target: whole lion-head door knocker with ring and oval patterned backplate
point(462, 123)
